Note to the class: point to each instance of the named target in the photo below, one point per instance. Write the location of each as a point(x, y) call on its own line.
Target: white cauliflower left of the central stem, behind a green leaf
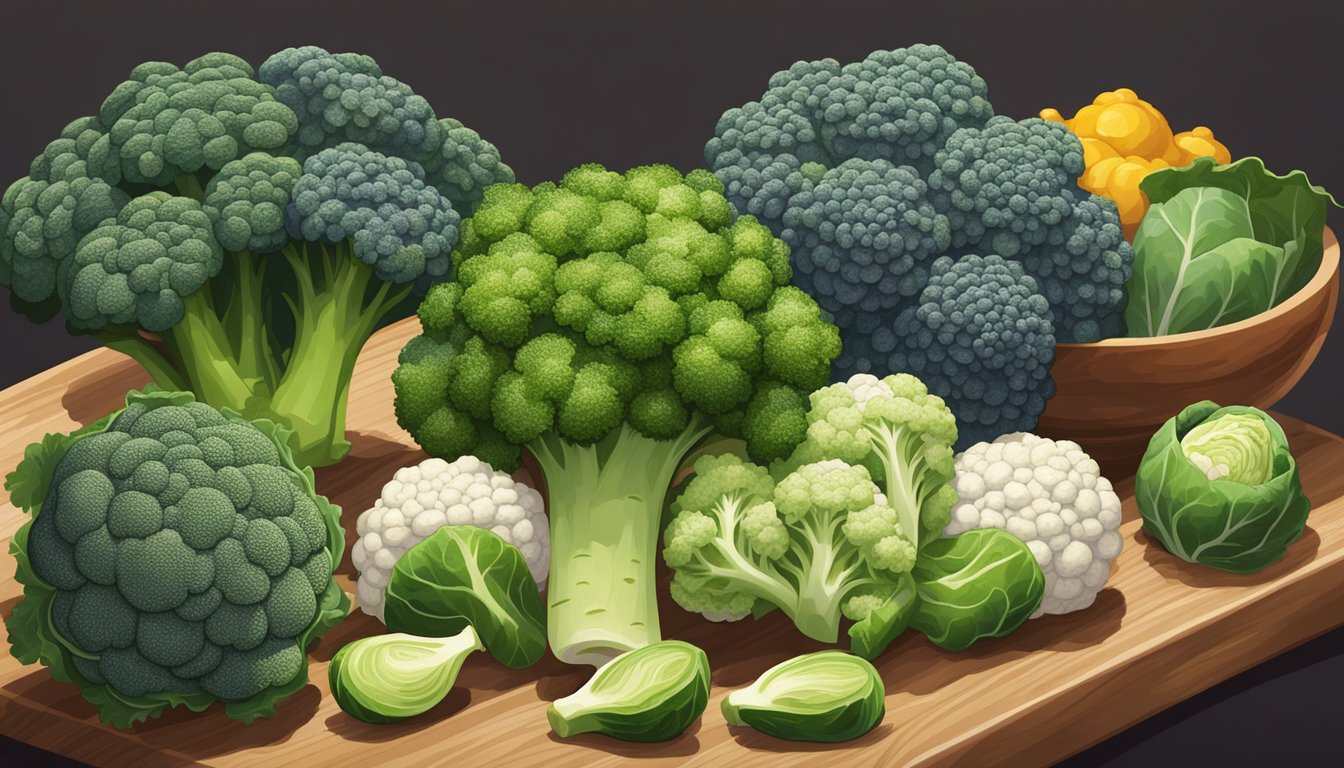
point(421, 500)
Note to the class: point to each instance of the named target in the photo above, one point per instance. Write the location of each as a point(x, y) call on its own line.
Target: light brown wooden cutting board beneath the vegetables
point(1162, 631)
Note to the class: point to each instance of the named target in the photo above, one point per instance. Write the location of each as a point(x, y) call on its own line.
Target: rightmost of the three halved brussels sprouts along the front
point(829, 696)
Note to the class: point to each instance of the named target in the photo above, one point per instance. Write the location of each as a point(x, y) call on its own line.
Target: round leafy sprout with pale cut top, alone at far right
point(1220, 488)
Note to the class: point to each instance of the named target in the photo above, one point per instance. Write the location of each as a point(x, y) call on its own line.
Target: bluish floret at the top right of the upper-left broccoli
point(346, 98)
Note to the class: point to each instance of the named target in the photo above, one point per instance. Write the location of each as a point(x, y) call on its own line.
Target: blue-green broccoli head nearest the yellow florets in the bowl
point(1007, 186)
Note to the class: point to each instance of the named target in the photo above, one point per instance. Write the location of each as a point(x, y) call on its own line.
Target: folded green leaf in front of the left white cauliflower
point(467, 576)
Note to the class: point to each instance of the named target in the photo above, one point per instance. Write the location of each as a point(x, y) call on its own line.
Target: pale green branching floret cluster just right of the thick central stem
point(819, 543)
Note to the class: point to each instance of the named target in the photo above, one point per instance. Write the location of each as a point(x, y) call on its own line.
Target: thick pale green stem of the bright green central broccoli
point(605, 508)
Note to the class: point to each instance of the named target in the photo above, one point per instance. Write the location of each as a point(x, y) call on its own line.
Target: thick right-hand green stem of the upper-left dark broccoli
point(334, 317)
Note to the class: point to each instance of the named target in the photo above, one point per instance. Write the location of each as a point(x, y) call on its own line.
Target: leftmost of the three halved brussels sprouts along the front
point(389, 679)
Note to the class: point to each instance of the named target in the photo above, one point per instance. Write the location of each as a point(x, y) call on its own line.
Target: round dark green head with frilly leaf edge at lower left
point(182, 558)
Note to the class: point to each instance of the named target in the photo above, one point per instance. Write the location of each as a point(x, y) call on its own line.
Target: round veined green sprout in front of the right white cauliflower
point(983, 583)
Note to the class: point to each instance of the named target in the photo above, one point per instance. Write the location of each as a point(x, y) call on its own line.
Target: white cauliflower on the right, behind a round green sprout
point(1052, 496)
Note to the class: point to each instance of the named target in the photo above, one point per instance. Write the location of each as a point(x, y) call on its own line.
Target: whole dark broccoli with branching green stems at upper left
point(310, 240)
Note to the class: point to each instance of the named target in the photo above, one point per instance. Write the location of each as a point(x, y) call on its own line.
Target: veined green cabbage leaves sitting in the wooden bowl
point(1222, 244)
